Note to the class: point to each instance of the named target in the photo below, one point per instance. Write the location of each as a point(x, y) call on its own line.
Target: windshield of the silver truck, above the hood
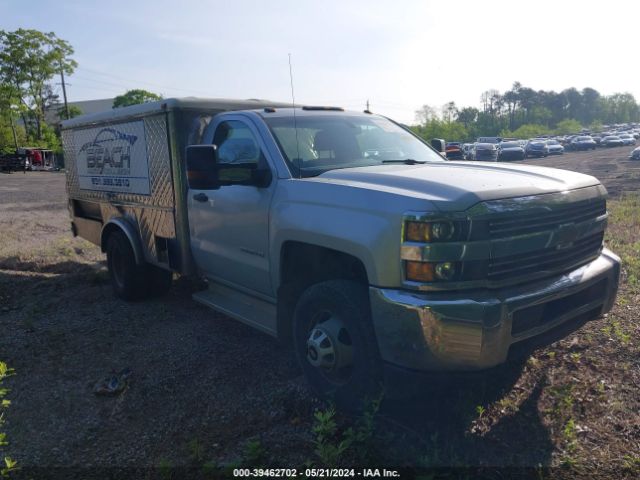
point(327, 142)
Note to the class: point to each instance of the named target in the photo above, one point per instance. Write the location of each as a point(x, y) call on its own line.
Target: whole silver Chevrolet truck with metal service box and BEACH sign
point(340, 233)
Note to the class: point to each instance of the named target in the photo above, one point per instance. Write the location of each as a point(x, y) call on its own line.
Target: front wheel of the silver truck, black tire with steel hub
point(335, 343)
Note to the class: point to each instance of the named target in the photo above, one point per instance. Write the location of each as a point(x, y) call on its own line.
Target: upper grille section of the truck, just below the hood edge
point(523, 223)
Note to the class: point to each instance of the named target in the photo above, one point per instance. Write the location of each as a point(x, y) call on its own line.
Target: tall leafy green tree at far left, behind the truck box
point(29, 59)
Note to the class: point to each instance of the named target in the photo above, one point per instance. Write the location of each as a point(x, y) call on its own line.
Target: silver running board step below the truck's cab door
point(248, 309)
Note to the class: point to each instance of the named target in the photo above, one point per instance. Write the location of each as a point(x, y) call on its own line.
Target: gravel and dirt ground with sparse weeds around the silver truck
point(204, 388)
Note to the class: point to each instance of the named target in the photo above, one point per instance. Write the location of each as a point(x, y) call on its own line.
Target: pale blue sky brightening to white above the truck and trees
point(398, 55)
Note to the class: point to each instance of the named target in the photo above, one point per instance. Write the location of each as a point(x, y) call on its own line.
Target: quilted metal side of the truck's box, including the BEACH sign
point(106, 166)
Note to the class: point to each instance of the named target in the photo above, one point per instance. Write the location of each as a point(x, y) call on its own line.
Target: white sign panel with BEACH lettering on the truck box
point(113, 158)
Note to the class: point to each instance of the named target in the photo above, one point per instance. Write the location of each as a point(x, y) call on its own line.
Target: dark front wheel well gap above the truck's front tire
point(302, 265)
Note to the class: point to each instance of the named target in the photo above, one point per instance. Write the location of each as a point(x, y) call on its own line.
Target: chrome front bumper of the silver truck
point(473, 330)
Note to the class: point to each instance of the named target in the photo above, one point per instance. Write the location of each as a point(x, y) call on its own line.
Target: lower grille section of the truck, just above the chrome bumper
point(546, 259)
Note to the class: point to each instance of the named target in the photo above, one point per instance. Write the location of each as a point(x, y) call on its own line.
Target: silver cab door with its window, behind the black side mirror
point(229, 225)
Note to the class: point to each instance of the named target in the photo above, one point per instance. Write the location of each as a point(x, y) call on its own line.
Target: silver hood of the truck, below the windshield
point(457, 186)
